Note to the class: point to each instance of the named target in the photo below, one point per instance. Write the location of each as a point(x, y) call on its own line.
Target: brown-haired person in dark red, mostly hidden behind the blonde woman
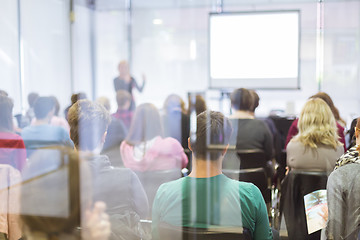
point(340, 123)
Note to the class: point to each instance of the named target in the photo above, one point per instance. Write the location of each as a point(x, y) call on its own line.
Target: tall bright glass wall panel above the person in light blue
point(46, 43)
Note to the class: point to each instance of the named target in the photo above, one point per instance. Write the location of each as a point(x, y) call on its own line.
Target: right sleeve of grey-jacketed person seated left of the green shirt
point(139, 197)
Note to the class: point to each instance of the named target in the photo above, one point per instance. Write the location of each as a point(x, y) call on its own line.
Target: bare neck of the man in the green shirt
point(202, 168)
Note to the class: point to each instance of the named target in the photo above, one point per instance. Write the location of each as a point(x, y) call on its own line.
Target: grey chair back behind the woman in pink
point(151, 181)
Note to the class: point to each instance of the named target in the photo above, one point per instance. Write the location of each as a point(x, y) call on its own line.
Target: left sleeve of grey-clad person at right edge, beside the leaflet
point(336, 205)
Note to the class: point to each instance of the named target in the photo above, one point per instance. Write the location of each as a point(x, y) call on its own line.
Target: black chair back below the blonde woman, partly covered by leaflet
point(294, 187)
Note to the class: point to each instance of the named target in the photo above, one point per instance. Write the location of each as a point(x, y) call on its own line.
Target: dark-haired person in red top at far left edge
point(12, 147)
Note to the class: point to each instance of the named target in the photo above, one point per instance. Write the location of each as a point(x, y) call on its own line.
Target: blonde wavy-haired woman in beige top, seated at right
point(316, 146)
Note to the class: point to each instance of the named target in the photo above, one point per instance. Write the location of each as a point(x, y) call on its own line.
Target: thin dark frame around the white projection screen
point(239, 81)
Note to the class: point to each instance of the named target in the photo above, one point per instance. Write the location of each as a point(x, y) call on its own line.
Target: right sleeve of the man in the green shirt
point(262, 228)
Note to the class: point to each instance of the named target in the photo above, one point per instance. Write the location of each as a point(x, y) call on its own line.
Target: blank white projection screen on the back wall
point(258, 50)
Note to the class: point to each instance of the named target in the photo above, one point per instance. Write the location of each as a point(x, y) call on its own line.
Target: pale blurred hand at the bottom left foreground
point(97, 225)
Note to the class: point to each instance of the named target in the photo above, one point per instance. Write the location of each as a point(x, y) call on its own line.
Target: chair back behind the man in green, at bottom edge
point(167, 231)
